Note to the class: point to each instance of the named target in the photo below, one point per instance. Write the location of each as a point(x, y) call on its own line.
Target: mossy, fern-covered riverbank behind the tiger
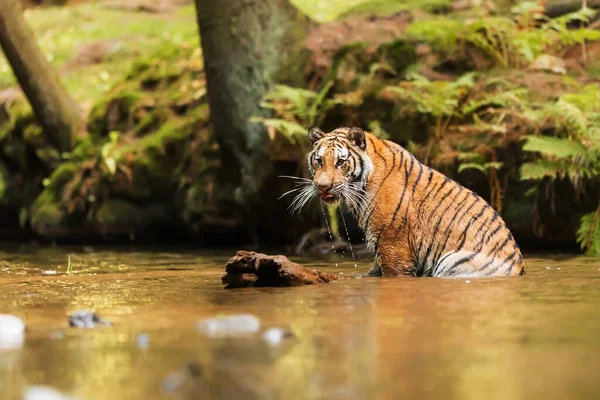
point(463, 88)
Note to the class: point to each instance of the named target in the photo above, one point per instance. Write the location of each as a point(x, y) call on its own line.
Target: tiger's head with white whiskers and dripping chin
point(338, 166)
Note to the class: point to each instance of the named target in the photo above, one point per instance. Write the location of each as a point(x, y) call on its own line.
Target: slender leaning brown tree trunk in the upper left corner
point(52, 105)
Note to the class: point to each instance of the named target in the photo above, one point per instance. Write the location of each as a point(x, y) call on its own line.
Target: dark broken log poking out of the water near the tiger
point(250, 269)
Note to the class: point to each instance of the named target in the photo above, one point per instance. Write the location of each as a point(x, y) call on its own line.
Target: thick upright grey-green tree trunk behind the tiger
point(247, 45)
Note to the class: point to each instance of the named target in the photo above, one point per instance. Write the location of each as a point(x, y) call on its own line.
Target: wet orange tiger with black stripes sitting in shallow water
point(417, 221)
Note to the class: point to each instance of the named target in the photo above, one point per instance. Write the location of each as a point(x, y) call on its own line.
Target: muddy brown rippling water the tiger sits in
point(531, 337)
